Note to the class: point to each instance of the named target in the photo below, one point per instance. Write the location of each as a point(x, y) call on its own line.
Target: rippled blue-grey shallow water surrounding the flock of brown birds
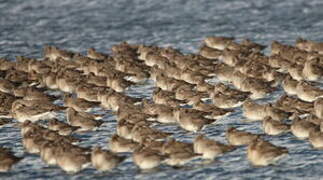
point(25, 26)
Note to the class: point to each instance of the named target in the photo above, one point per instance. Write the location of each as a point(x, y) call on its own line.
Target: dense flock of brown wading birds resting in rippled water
point(99, 79)
